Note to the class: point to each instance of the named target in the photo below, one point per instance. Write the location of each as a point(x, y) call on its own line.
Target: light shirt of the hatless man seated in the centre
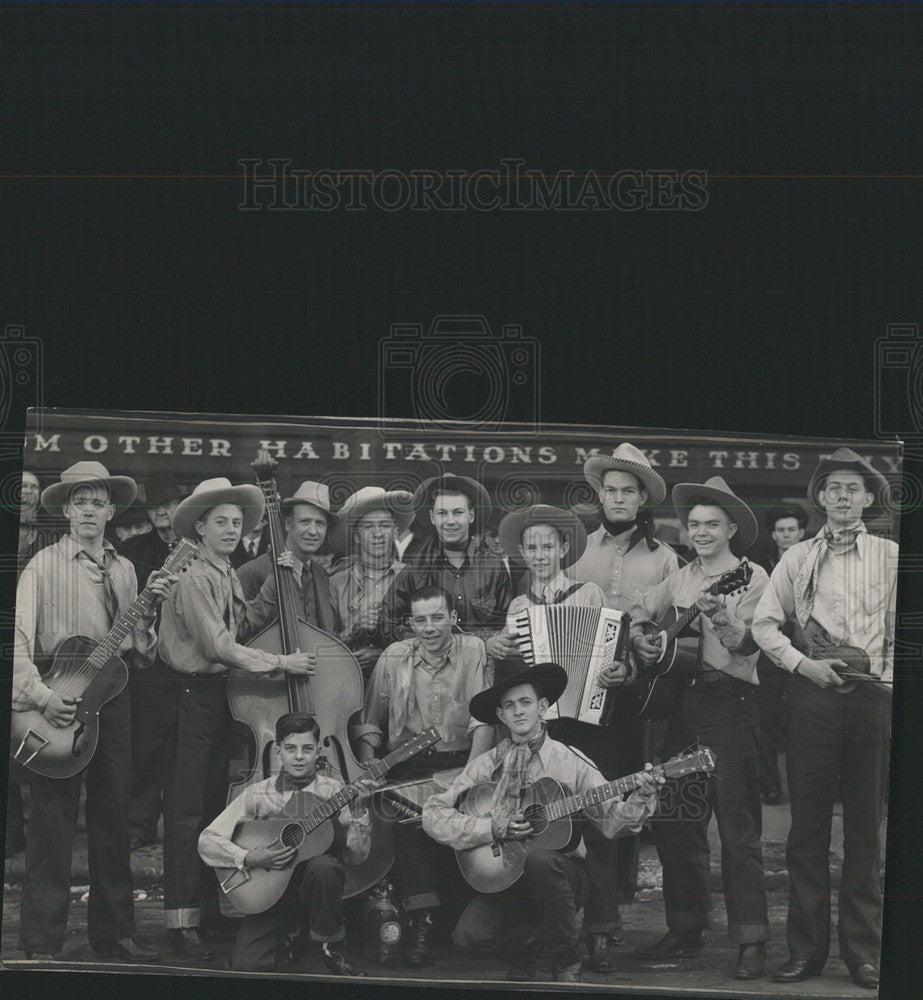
point(411, 690)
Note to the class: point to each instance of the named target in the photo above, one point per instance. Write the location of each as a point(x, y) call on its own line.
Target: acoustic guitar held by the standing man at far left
point(91, 671)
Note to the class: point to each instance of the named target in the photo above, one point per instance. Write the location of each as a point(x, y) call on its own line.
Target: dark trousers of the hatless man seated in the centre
point(425, 871)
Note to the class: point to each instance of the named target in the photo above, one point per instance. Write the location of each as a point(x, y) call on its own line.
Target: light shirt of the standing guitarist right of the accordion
point(682, 589)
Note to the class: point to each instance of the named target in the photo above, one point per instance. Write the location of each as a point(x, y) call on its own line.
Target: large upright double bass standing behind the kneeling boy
point(333, 695)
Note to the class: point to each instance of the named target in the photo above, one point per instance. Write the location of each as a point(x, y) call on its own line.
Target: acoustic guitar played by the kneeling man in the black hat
point(548, 806)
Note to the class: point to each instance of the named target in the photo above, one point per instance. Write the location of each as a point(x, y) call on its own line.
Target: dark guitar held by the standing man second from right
point(656, 685)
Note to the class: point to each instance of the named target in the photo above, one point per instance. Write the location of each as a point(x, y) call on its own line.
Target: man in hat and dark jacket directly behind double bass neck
point(306, 518)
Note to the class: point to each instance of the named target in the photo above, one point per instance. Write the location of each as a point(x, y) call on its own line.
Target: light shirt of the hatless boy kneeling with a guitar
point(266, 800)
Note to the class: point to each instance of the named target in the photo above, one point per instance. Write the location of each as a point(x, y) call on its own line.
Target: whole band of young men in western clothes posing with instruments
point(433, 634)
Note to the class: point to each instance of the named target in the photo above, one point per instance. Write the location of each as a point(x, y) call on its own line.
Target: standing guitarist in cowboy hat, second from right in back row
point(720, 709)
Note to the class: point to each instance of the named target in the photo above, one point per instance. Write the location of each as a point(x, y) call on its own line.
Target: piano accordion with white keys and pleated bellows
point(585, 641)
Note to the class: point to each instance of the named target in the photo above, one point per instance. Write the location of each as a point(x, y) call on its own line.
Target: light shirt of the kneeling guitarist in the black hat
point(443, 822)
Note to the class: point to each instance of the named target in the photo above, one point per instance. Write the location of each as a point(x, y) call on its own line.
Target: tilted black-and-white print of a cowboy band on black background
point(515, 705)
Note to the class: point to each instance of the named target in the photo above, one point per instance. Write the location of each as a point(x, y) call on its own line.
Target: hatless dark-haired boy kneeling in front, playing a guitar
point(314, 896)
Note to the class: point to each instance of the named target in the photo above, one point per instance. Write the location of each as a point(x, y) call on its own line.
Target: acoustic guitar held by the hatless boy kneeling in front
point(305, 823)
